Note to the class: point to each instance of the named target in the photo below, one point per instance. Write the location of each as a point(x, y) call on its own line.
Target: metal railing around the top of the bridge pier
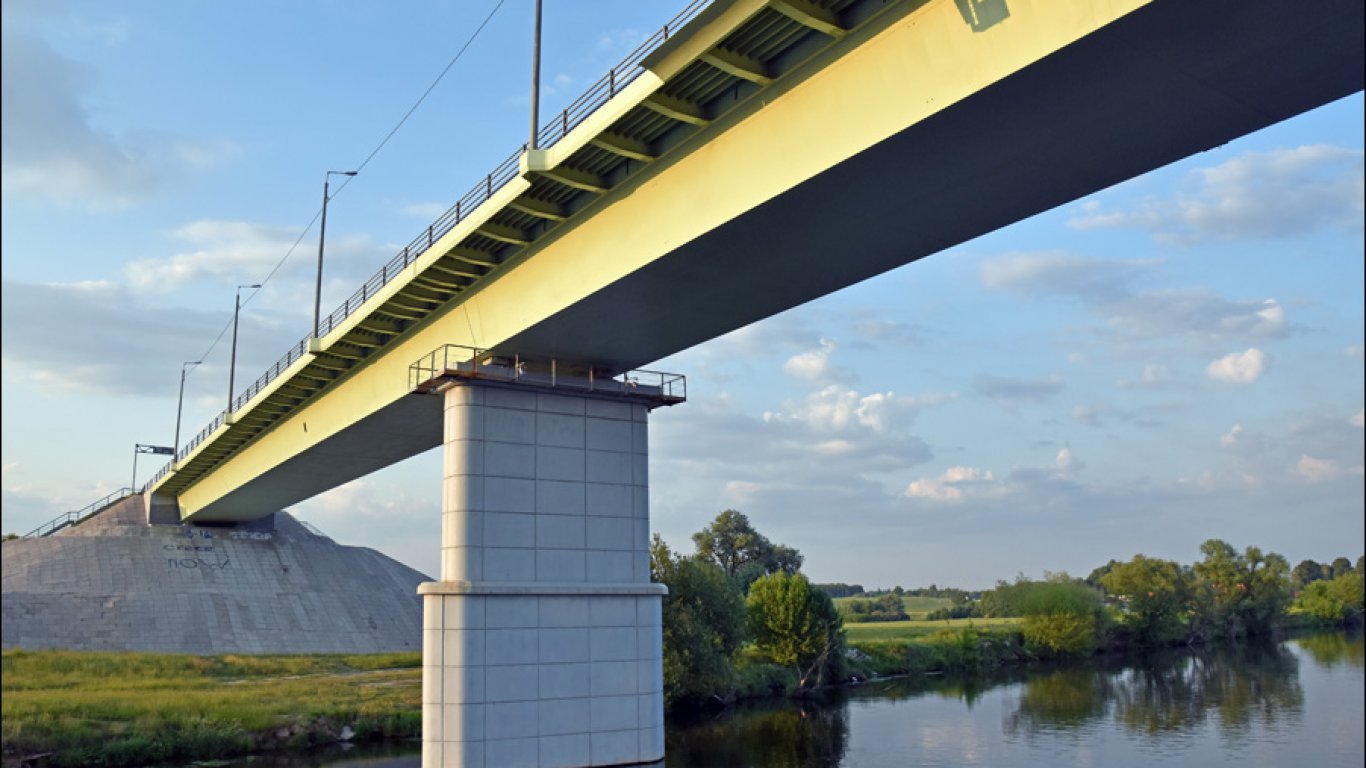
point(473, 363)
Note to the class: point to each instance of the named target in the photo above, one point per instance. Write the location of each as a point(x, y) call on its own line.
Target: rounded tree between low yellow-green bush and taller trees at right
point(1155, 594)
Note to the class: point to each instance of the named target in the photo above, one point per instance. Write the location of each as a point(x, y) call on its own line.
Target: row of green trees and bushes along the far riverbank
point(741, 618)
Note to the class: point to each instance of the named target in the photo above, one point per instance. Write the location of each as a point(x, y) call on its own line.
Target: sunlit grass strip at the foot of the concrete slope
point(136, 709)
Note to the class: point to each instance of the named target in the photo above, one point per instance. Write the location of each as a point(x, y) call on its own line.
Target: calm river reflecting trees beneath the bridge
point(1296, 703)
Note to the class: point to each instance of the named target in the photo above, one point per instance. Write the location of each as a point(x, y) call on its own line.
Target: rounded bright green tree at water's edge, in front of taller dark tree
point(797, 627)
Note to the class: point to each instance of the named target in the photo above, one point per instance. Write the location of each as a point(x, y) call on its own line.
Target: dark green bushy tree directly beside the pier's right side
point(704, 624)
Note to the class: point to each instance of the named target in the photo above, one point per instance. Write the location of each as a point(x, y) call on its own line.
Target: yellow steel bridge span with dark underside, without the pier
point(767, 154)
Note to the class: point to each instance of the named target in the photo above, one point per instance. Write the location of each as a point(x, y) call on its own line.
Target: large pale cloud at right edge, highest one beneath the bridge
point(1281, 193)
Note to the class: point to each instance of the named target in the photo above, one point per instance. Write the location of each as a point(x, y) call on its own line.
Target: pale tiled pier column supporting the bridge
point(542, 644)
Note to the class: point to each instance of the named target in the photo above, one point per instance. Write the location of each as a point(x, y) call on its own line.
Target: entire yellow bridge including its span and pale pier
point(751, 156)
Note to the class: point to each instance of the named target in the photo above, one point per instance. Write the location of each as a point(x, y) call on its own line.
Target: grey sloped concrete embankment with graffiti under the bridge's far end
point(118, 584)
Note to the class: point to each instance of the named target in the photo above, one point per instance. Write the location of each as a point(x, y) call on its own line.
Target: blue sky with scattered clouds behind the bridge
point(1171, 360)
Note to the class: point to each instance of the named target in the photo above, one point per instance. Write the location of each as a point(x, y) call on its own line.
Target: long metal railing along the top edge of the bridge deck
point(557, 129)
